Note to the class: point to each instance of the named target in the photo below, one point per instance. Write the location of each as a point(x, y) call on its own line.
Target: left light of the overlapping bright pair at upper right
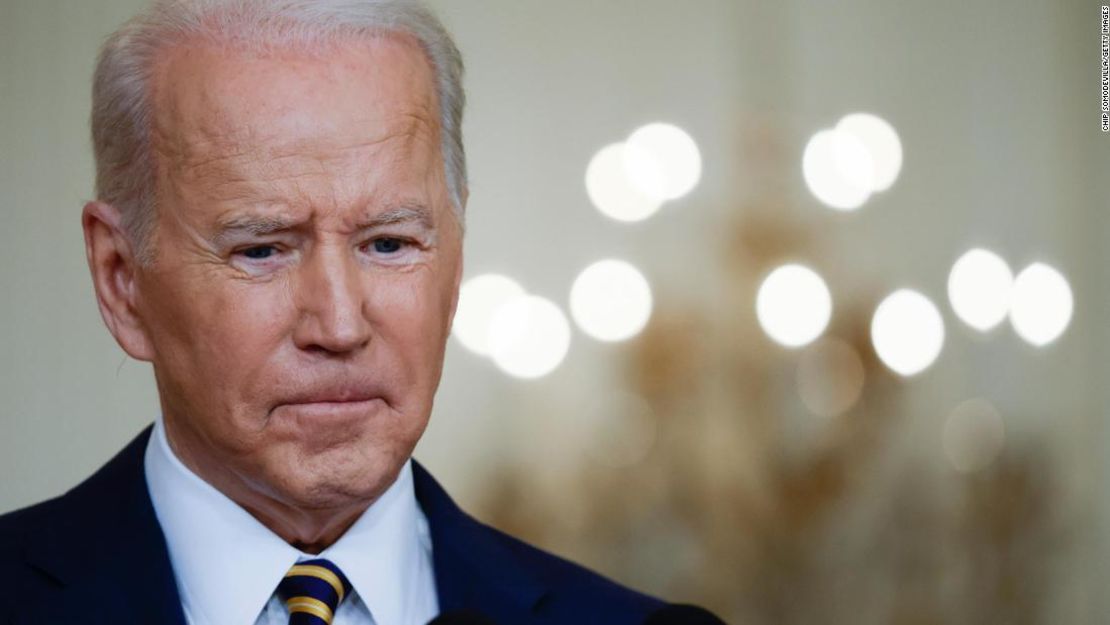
point(839, 170)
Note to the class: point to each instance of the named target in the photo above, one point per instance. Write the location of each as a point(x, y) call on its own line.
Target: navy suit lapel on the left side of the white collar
point(106, 551)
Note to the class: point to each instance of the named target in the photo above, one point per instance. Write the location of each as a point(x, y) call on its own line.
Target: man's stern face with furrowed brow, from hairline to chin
point(307, 269)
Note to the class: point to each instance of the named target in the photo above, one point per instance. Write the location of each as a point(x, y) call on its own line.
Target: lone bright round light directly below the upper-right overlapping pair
point(794, 306)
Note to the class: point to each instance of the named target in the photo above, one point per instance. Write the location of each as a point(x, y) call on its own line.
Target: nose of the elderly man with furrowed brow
point(332, 301)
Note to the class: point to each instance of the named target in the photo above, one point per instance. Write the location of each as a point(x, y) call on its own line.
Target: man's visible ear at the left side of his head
point(115, 269)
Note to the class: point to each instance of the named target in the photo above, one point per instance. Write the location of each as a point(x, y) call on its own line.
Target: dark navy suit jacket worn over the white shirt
point(97, 555)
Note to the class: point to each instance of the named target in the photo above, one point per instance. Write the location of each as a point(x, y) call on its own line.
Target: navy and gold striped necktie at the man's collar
point(312, 591)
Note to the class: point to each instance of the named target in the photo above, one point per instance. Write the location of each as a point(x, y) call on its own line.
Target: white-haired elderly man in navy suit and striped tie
point(279, 231)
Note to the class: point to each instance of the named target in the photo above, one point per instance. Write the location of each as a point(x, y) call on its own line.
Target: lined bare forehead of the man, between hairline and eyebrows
point(219, 110)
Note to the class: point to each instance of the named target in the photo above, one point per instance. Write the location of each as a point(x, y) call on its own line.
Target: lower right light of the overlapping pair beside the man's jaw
point(529, 337)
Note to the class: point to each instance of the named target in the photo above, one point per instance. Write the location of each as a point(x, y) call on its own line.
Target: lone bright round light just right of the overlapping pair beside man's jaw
point(611, 300)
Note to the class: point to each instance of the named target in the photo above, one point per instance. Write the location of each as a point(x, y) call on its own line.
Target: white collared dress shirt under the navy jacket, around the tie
point(228, 566)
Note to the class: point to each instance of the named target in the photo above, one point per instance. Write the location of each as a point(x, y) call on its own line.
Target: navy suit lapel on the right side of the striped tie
point(475, 568)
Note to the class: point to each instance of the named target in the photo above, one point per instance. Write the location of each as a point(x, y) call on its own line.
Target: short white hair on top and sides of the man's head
point(122, 108)
